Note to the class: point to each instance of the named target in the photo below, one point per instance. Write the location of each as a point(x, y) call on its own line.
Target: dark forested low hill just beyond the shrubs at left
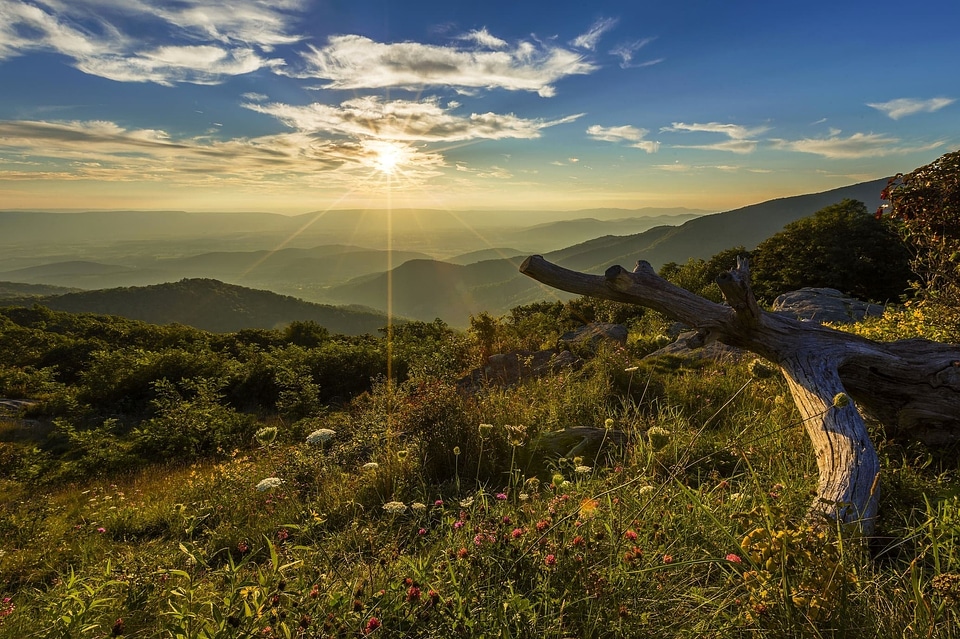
point(212, 306)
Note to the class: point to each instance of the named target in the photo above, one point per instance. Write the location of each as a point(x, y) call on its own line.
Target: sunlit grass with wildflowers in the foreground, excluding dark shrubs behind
point(694, 528)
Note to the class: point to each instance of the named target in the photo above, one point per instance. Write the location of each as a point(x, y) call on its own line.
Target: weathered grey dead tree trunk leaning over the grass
point(912, 387)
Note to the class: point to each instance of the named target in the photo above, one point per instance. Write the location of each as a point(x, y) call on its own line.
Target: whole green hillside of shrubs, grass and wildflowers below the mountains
point(294, 483)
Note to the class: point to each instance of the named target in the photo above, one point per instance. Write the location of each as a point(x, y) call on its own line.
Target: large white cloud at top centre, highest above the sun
point(357, 62)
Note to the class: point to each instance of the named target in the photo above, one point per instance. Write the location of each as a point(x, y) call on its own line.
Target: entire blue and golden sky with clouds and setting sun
point(293, 106)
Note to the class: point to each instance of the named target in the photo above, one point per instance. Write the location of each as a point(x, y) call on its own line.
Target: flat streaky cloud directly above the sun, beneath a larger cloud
point(423, 121)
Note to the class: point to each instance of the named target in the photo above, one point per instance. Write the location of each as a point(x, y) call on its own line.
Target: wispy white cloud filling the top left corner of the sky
point(197, 41)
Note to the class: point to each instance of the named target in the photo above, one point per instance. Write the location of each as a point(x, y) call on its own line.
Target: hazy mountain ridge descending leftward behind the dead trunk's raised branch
point(437, 290)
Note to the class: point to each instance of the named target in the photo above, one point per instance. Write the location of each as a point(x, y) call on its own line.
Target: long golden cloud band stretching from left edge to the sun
point(105, 150)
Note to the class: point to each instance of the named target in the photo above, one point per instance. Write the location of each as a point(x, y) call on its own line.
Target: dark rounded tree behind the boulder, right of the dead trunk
point(841, 246)
